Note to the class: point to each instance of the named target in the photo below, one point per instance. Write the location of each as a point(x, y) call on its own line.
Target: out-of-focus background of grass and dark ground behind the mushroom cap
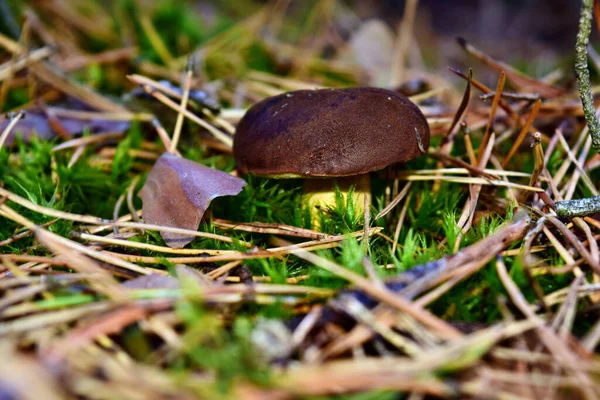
point(324, 42)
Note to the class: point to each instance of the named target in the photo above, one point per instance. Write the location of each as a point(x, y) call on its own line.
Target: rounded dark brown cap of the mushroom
point(329, 133)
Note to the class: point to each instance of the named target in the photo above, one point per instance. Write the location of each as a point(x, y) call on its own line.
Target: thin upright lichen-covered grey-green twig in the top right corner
point(583, 74)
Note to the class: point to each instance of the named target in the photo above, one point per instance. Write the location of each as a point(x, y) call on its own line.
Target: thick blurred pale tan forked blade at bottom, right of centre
point(398, 373)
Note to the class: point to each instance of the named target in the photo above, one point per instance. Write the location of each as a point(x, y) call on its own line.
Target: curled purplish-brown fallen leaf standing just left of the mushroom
point(178, 192)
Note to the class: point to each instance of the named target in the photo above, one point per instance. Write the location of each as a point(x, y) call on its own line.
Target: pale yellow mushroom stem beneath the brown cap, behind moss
point(320, 193)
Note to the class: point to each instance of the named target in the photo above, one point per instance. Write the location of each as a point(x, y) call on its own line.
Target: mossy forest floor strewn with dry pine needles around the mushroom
point(472, 287)
